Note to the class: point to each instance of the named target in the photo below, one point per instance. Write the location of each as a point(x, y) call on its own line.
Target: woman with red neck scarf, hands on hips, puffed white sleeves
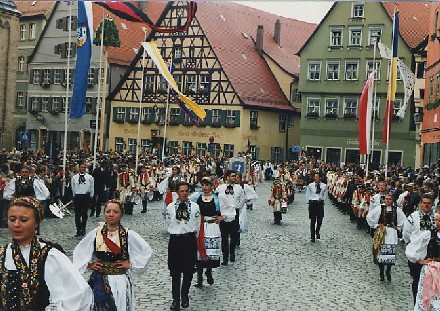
point(114, 253)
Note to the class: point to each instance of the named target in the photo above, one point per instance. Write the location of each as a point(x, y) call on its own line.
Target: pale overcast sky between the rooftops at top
point(308, 11)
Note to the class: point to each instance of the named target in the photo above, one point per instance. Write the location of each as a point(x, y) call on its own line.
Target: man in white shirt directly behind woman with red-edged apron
point(231, 197)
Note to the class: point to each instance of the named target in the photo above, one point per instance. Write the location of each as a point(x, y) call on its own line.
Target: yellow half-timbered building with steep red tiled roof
point(236, 62)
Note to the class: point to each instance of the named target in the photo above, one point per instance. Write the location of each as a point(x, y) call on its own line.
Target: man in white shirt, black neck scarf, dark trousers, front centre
point(184, 222)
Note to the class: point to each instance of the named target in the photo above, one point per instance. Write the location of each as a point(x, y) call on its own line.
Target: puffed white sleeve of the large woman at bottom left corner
point(68, 289)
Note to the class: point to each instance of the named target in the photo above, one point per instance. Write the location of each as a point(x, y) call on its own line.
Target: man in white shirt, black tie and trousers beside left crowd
point(83, 190)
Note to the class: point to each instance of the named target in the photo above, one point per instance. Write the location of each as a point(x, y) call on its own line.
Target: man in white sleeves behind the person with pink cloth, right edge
point(420, 220)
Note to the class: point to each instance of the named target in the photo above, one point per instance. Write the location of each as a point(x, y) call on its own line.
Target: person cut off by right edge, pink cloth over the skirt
point(424, 250)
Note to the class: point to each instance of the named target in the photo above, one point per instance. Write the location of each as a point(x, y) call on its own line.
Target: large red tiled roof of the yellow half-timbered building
point(225, 24)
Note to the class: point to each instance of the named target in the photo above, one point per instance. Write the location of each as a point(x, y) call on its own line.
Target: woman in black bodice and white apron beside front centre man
point(208, 241)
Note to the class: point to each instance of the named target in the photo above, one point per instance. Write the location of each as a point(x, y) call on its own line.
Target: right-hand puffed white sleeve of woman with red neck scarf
point(139, 251)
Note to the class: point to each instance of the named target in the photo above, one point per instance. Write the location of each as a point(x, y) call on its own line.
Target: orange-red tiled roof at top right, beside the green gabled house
point(413, 18)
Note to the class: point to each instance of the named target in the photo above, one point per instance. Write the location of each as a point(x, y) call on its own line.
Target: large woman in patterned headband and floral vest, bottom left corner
point(33, 272)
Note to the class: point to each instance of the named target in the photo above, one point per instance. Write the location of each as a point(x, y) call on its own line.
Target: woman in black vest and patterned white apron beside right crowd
point(387, 219)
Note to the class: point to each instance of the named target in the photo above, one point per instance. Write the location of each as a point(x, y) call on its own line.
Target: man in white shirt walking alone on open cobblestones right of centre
point(316, 193)
